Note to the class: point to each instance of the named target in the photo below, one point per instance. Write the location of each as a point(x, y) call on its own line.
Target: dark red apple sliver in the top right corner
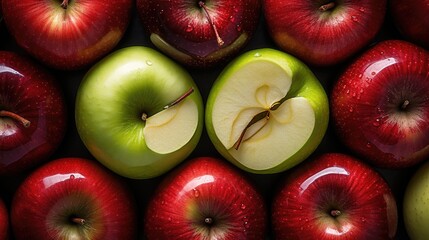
point(412, 20)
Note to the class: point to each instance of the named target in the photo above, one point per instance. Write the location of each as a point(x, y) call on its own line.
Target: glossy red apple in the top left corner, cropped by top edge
point(67, 39)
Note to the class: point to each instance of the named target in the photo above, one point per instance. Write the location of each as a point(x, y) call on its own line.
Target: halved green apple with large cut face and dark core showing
point(266, 112)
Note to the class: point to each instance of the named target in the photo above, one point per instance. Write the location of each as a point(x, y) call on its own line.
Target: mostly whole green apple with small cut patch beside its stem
point(139, 113)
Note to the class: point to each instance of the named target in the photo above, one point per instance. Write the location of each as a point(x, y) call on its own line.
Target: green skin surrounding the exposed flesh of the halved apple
point(304, 84)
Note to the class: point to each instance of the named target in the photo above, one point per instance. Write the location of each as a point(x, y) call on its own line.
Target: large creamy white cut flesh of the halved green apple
point(253, 89)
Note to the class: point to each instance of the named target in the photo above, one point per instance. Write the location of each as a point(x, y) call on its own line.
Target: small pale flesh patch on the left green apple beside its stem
point(170, 129)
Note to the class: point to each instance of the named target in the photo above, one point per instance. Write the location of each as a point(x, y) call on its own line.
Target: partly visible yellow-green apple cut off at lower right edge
point(416, 204)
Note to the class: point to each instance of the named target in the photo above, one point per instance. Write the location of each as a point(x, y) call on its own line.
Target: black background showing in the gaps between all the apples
point(266, 184)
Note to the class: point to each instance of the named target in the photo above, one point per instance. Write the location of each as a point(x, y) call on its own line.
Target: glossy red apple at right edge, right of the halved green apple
point(366, 105)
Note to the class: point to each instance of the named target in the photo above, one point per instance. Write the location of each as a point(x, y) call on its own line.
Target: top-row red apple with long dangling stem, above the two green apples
point(183, 25)
